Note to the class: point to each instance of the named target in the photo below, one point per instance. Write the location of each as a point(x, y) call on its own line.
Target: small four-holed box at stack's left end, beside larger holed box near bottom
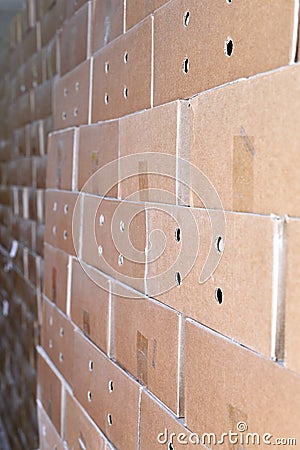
point(58, 339)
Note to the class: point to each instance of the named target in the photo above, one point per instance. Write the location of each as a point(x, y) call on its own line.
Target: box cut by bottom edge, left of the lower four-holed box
point(80, 430)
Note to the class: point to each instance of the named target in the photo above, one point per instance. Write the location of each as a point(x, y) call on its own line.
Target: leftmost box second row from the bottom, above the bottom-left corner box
point(49, 389)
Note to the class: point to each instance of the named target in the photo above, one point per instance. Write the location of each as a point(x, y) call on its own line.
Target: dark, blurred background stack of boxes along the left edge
point(28, 70)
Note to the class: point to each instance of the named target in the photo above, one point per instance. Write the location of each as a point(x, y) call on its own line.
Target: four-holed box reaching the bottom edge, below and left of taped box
point(105, 400)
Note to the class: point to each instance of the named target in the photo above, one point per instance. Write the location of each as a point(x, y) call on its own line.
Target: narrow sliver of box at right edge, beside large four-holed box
point(292, 336)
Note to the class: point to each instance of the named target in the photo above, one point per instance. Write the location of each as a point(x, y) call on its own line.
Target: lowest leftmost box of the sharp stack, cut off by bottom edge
point(48, 436)
